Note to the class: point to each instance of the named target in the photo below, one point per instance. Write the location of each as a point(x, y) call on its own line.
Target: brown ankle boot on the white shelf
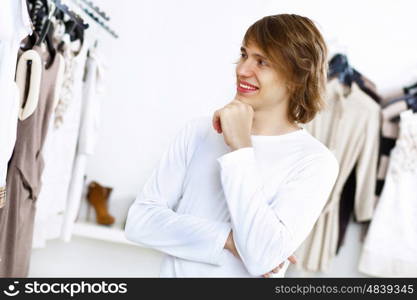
point(98, 196)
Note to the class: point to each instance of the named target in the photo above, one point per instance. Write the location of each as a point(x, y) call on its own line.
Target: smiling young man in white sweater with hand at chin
point(237, 201)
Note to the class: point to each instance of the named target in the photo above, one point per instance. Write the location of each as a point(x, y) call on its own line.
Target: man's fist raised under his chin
point(235, 122)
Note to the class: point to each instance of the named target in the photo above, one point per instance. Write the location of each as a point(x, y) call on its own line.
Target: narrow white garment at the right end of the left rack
point(88, 136)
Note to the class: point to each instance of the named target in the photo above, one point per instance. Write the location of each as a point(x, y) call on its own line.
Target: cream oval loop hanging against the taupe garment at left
point(29, 103)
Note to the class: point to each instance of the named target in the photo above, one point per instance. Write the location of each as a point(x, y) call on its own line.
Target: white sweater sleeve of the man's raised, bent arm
point(267, 231)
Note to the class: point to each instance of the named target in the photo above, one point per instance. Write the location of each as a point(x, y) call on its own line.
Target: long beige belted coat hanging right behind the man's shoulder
point(349, 126)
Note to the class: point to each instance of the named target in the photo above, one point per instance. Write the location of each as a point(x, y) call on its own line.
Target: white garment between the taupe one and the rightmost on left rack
point(59, 152)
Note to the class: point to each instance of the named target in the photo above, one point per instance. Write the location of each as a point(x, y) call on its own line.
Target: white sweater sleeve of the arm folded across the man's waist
point(152, 220)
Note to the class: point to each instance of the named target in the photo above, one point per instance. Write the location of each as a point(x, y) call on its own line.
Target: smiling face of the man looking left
point(258, 83)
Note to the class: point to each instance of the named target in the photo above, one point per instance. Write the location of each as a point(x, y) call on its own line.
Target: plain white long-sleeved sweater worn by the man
point(270, 195)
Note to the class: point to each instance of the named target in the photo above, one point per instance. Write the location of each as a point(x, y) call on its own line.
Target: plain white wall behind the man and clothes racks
point(174, 61)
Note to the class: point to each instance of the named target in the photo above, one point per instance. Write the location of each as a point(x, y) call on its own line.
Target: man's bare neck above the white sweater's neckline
point(269, 122)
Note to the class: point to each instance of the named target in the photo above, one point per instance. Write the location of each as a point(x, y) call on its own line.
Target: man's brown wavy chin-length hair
point(296, 49)
